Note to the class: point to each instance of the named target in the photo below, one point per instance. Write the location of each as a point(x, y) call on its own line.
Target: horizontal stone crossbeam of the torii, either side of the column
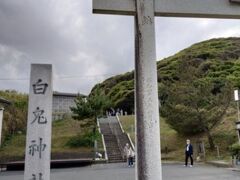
point(173, 8)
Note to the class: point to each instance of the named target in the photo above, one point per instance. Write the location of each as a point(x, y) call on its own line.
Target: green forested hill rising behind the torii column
point(215, 59)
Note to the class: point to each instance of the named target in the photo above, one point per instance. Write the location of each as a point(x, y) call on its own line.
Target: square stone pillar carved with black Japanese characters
point(39, 125)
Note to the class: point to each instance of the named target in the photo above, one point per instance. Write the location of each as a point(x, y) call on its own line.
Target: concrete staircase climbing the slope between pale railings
point(114, 138)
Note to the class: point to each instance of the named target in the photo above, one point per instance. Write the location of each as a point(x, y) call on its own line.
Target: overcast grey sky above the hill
point(84, 48)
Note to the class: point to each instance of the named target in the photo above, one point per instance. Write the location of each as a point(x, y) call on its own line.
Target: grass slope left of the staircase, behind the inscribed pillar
point(62, 131)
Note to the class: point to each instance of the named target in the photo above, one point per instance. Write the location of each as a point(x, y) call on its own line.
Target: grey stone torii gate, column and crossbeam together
point(146, 94)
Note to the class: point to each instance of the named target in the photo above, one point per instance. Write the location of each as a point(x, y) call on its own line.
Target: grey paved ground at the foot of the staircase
point(121, 172)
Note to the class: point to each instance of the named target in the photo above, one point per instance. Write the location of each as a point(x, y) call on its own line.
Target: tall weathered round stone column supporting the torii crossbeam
point(146, 95)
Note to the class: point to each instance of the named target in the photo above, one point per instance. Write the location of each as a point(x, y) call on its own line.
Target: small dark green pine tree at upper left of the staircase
point(90, 107)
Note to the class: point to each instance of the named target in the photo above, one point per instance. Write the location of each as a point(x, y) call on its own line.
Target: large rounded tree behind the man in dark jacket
point(195, 106)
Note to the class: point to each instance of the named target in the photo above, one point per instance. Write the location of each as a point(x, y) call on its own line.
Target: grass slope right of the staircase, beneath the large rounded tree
point(224, 136)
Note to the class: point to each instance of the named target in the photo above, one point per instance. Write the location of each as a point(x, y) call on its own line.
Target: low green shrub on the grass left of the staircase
point(83, 140)
